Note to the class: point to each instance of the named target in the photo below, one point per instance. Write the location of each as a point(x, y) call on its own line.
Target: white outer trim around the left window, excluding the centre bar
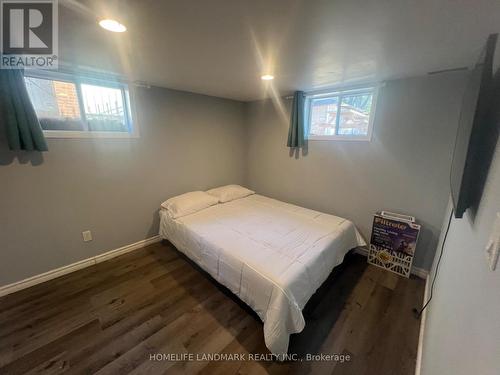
point(88, 78)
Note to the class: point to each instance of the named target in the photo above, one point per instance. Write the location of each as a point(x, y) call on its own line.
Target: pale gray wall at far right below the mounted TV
point(462, 331)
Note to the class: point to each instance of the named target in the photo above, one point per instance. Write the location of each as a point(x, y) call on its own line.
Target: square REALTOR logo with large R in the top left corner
point(29, 34)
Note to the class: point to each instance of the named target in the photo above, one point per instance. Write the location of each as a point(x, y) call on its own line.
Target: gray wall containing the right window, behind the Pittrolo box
point(405, 168)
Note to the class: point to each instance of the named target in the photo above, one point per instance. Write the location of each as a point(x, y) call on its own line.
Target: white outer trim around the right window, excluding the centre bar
point(351, 90)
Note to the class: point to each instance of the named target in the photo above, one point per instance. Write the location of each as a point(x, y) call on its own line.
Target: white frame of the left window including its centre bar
point(79, 78)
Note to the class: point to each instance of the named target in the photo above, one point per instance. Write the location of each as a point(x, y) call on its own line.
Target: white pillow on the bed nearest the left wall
point(188, 203)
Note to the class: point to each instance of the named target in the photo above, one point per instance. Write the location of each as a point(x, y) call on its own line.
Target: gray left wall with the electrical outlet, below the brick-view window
point(113, 187)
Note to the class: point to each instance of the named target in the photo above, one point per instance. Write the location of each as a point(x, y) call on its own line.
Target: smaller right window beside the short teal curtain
point(341, 115)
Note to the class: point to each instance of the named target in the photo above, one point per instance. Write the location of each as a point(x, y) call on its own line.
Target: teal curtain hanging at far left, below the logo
point(17, 114)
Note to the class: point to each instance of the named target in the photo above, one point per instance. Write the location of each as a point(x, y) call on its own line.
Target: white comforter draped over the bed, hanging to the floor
point(272, 255)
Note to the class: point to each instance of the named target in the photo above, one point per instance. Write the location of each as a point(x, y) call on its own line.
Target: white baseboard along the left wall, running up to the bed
point(52, 274)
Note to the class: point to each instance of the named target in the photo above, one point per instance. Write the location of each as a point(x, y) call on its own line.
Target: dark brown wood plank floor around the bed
point(110, 319)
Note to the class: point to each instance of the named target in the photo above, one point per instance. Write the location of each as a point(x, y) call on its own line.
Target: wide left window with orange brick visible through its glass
point(72, 106)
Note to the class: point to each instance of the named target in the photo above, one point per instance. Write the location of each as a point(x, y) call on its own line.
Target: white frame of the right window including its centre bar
point(340, 93)
